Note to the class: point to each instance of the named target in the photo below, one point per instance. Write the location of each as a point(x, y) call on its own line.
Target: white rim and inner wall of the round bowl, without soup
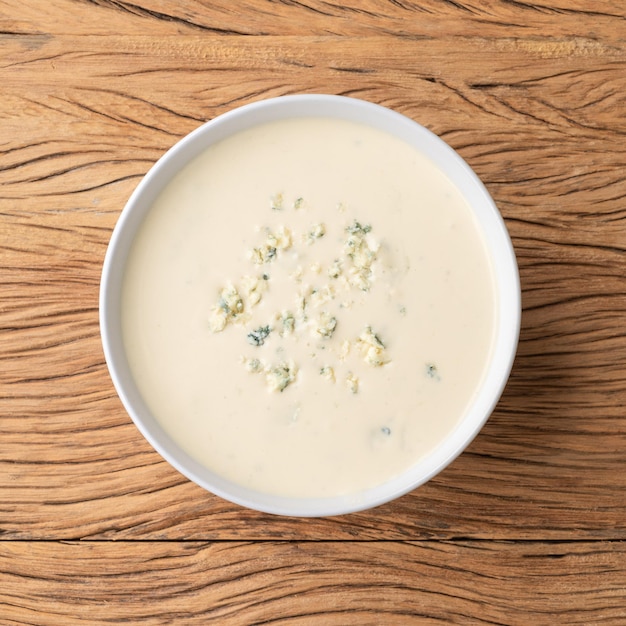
point(500, 250)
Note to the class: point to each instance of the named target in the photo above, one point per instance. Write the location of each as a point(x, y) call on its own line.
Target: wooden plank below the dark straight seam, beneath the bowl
point(312, 582)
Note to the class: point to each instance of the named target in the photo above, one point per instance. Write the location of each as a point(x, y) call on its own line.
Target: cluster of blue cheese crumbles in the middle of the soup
point(321, 310)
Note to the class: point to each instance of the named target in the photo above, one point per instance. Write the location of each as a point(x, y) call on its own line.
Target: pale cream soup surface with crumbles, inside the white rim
point(309, 308)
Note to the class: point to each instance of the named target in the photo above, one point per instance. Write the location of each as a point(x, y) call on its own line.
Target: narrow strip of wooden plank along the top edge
point(426, 18)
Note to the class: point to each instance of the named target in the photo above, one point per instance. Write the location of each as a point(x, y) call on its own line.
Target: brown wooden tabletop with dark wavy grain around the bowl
point(526, 527)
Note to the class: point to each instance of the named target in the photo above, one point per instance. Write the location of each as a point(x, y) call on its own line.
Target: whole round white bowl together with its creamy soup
point(310, 305)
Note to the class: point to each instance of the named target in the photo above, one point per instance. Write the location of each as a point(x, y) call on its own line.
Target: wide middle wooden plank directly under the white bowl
point(83, 118)
